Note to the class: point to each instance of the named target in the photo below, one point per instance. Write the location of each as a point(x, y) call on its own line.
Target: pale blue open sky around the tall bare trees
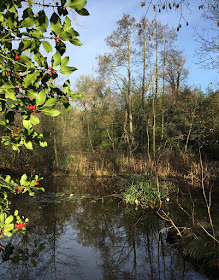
point(102, 21)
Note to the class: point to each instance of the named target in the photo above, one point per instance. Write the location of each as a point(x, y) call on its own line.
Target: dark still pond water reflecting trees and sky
point(73, 236)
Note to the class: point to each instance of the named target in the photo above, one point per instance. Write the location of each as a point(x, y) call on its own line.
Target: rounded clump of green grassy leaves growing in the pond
point(143, 192)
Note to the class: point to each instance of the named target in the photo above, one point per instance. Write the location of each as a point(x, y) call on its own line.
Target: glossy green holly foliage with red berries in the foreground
point(30, 31)
